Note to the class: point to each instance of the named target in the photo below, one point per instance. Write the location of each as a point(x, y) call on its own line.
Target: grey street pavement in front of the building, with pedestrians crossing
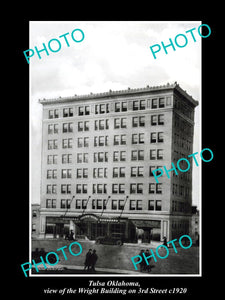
point(113, 259)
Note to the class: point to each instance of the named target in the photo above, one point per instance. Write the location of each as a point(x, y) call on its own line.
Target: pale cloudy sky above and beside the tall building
point(113, 55)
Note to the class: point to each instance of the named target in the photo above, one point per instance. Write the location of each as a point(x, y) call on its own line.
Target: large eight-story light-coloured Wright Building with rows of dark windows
point(98, 154)
